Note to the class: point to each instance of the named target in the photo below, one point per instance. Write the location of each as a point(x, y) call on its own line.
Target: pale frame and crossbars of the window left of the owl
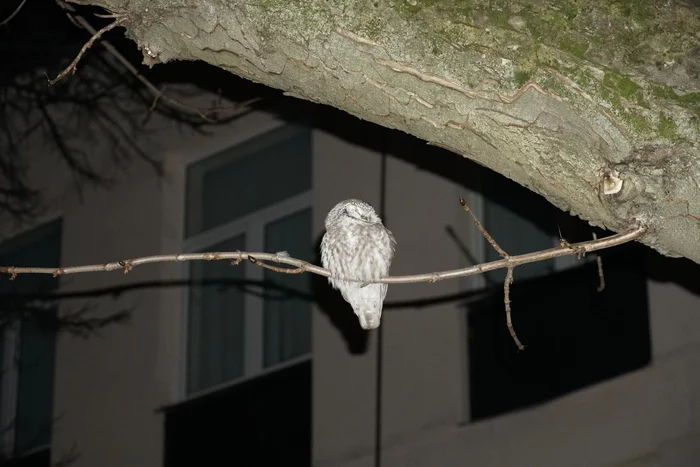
point(252, 225)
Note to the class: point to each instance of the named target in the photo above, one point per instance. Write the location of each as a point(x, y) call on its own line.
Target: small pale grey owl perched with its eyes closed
point(358, 246)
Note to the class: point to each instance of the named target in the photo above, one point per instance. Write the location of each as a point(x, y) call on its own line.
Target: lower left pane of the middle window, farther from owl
point(216, 320)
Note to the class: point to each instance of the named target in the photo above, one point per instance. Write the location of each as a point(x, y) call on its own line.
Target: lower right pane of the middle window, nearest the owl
point(287, 318)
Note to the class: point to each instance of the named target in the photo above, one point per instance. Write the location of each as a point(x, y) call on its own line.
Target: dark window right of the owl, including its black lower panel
point(575, 336)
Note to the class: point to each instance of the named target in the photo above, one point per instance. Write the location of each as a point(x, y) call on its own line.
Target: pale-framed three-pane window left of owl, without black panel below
point(243, 320)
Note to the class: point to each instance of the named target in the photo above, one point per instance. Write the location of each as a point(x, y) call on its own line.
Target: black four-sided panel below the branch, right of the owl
point(575, 335)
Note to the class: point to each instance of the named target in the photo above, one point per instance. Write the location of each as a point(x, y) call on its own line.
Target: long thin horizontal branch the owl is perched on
point(304, 266)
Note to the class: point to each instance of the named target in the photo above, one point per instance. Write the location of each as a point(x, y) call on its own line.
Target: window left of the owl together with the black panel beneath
point(248, 377)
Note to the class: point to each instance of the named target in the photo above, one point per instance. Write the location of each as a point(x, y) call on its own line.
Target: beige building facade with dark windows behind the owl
point(220, 363)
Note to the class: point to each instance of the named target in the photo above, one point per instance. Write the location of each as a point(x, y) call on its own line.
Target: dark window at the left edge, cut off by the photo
point(27, 348)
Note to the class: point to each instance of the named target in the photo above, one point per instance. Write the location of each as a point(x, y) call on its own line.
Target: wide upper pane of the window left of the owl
point(248, 177)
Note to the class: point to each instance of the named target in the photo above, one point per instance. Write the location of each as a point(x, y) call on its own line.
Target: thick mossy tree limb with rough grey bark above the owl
point(594, 105)
